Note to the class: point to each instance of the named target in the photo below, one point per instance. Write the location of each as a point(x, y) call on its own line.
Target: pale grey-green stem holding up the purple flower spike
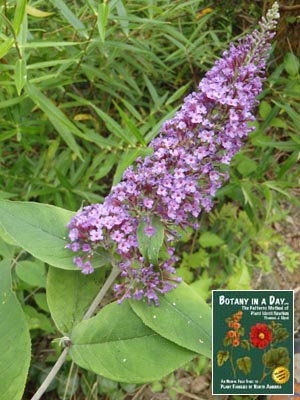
point(52, 374)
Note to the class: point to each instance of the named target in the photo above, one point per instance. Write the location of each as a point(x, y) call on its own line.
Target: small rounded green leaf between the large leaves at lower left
point(32, 272)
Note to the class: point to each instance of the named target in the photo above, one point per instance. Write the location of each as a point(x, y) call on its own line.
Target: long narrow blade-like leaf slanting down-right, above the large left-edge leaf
point(58, 119)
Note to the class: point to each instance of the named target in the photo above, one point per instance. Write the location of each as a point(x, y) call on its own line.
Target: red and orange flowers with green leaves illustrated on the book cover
point(263, 339)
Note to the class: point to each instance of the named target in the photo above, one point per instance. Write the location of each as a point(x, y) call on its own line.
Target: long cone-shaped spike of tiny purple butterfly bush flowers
point(180, 178)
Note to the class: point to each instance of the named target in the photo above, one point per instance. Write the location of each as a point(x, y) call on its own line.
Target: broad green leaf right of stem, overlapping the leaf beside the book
point(116, 344)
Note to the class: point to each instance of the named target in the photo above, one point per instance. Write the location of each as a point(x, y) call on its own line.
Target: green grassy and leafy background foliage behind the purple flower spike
point(84, 87)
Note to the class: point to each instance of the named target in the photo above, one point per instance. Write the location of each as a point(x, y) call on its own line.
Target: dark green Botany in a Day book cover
point(253, 342)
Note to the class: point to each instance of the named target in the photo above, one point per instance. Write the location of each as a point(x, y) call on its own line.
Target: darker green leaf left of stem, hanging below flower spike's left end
point(69, 294)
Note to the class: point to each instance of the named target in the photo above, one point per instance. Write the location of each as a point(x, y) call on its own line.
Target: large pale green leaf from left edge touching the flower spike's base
point(39, 229)
